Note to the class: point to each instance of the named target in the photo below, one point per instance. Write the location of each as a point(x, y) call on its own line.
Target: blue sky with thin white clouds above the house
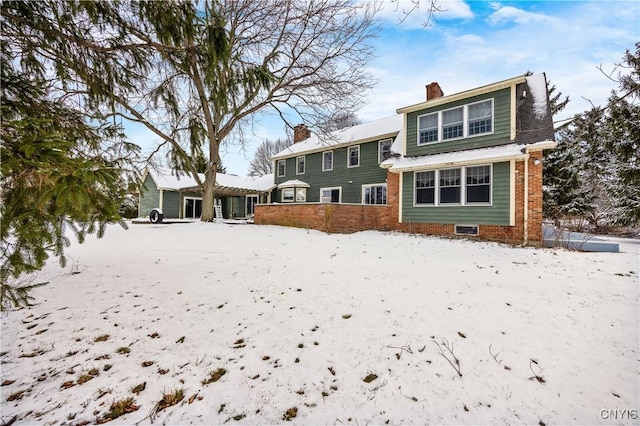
point(473, 43)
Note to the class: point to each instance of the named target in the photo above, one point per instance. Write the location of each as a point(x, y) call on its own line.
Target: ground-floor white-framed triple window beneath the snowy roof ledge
point(469, 185)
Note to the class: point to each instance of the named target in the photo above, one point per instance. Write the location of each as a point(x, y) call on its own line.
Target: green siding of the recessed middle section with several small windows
point(369, 172)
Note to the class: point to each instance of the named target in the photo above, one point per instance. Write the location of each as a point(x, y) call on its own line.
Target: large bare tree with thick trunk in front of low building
point(215, 69)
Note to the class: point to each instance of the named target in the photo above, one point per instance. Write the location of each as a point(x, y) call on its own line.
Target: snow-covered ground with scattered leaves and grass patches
point(262, 324)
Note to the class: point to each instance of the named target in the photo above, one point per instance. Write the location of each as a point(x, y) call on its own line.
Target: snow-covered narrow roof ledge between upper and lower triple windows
point(472, 156)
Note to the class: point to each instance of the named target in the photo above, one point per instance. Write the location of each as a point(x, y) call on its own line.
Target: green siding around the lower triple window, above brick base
point(495, 214)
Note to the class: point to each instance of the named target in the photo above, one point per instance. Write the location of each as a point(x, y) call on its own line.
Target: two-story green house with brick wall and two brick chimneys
point(469, 163)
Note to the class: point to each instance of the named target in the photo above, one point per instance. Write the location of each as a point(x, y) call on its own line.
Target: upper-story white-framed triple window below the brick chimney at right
point(464, 121)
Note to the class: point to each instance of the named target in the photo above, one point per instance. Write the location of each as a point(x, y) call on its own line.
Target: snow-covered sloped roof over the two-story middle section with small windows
point(374, 130)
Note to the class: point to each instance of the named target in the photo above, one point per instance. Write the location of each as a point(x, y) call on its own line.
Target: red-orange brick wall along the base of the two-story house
point(345, 218)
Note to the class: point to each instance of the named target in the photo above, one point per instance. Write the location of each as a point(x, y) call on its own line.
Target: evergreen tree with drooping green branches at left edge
point(63, 164)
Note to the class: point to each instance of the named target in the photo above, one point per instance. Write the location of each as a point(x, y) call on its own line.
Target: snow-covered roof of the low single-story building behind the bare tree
point(169, 179)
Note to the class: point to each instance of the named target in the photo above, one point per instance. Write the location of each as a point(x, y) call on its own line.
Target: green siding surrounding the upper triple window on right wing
point(501, 124)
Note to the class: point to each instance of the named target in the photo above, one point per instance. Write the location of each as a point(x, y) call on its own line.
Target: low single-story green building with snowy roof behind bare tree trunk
point(177, 194)
